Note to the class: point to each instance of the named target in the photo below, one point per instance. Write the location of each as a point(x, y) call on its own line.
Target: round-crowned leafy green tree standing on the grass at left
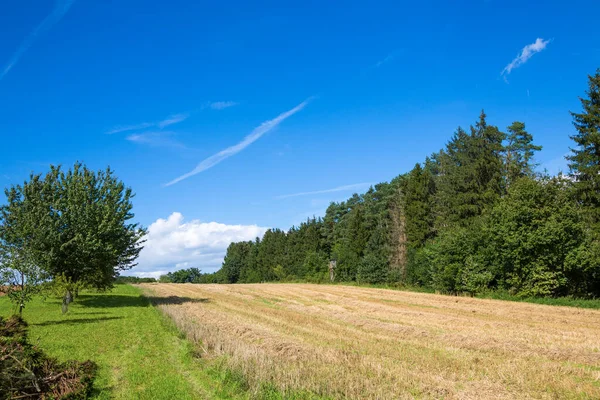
point(75, 225)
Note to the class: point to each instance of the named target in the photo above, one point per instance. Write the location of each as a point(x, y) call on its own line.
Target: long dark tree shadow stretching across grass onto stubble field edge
point(117, 300)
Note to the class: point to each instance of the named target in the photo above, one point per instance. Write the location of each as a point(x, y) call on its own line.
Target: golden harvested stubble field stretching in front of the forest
point(349, 342)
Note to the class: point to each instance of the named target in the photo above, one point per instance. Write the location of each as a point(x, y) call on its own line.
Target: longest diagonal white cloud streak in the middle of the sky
point(248, 140)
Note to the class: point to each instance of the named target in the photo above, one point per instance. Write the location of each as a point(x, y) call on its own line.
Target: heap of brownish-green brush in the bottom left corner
point(26, 372)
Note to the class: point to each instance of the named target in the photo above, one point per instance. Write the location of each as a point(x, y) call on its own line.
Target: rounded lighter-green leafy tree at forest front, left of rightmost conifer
point(533, 232)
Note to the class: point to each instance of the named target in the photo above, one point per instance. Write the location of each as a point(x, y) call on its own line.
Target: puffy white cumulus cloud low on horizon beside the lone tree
point(173, 244)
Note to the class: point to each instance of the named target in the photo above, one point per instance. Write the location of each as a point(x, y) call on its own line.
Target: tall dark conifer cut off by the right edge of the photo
point(585, 157)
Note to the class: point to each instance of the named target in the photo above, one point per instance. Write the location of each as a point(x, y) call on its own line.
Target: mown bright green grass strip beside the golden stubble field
point(140, 353)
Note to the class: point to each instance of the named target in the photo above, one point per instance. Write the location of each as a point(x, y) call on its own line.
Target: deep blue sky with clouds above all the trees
point(277, 98)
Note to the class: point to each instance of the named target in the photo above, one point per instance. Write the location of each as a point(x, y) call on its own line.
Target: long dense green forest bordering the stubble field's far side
point(473, 217)
